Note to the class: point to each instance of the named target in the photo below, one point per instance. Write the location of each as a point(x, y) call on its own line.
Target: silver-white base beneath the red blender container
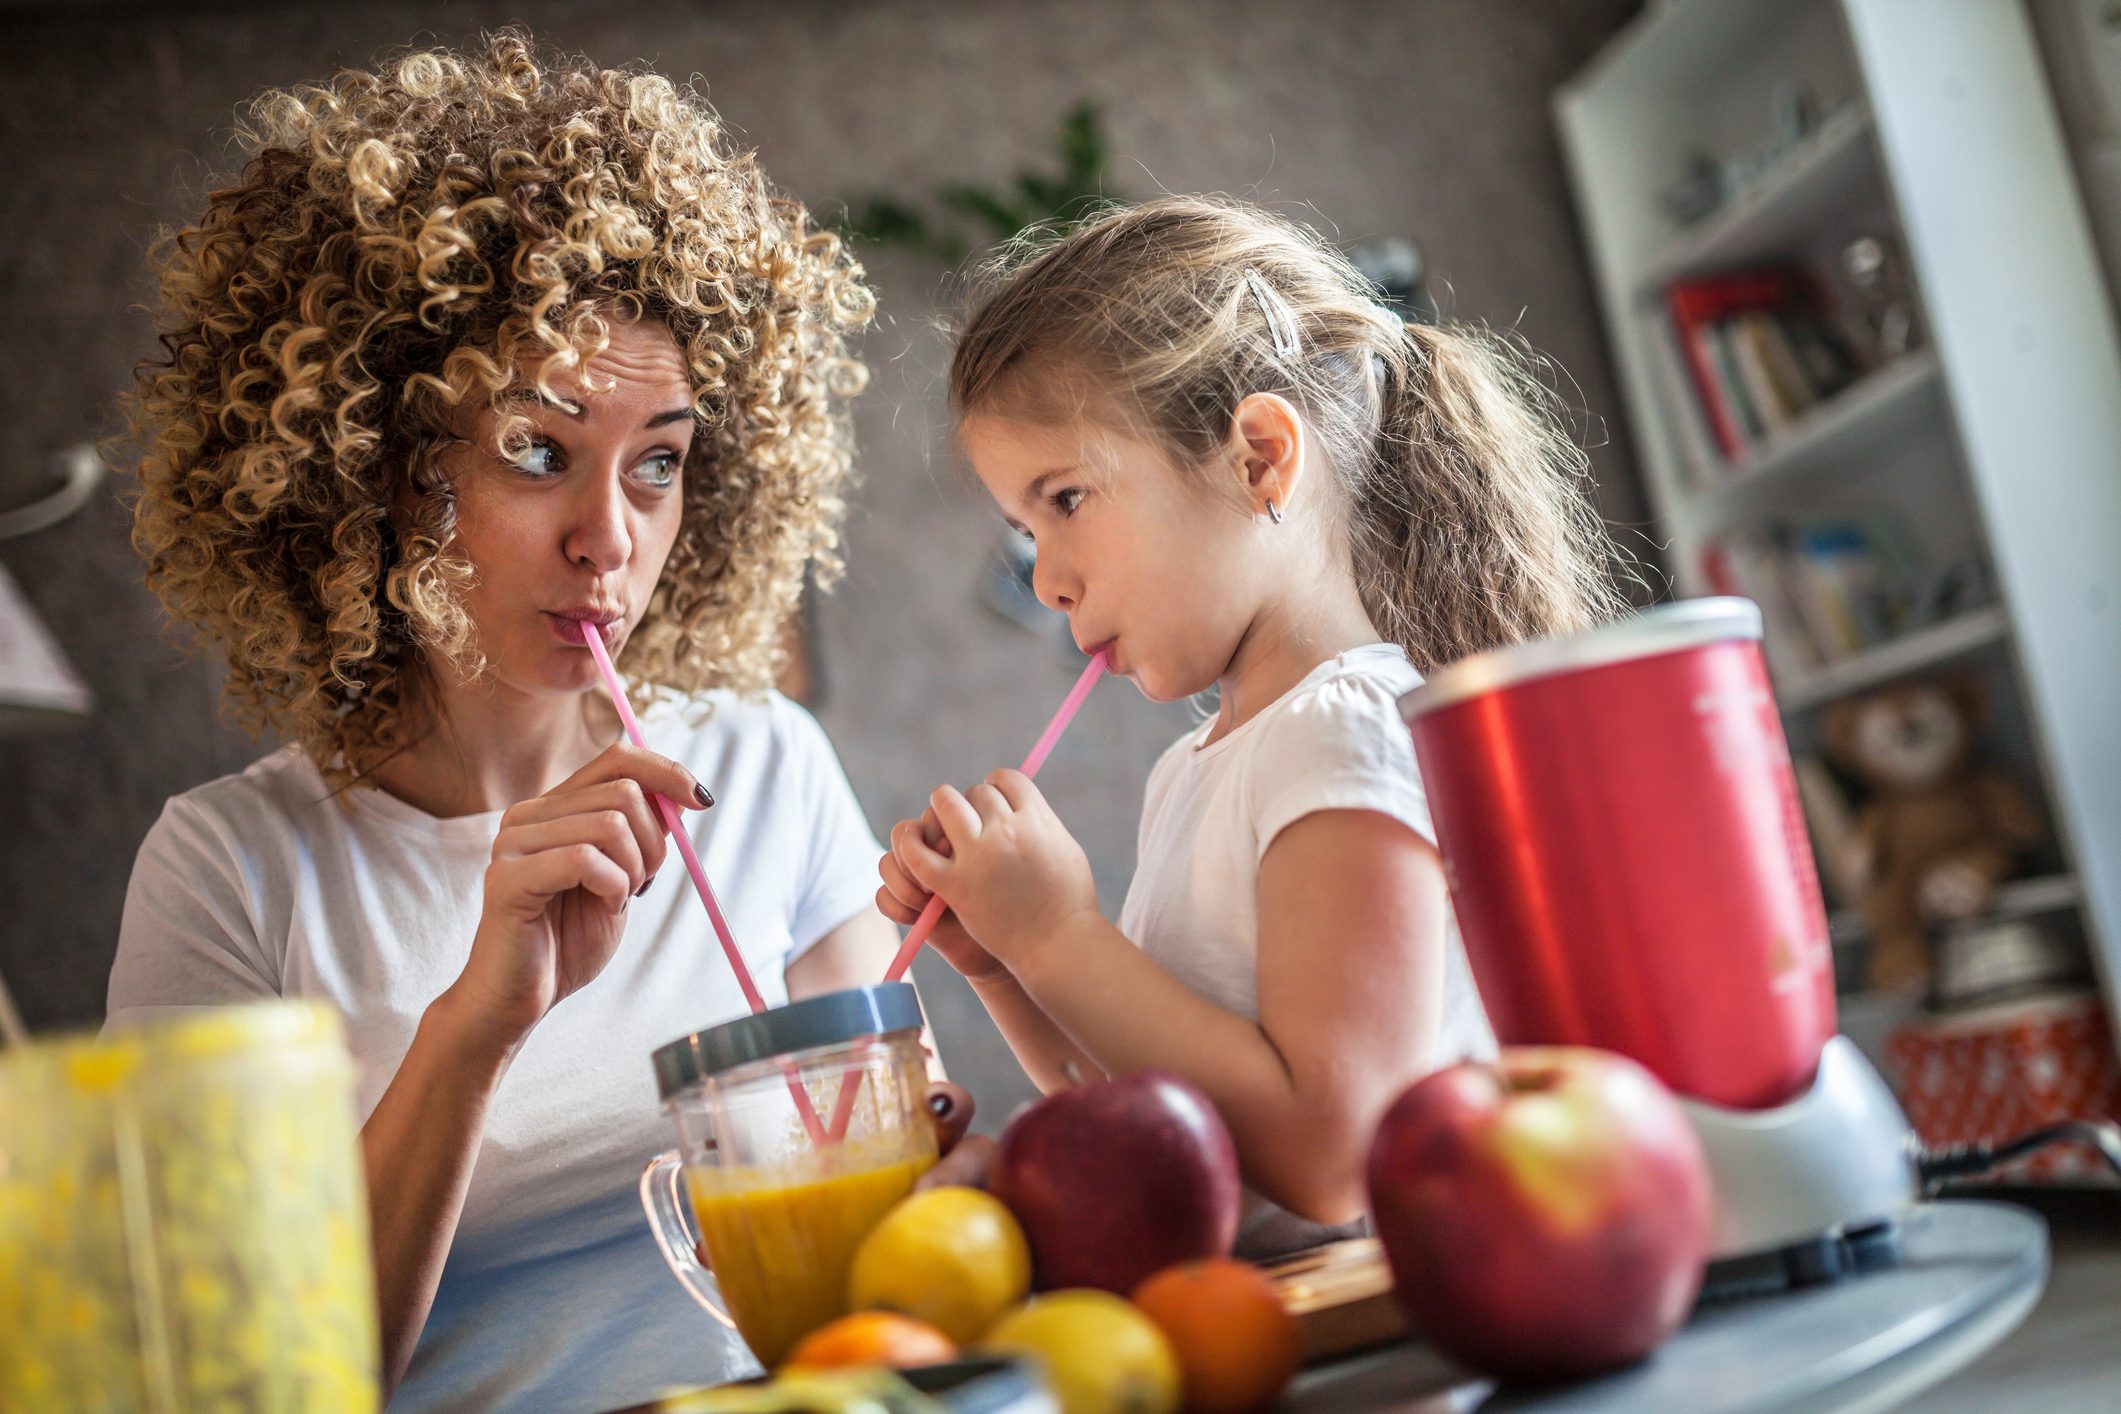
point(1804, 1186)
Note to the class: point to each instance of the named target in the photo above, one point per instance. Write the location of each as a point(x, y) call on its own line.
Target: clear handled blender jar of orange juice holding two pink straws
point(779, 1203)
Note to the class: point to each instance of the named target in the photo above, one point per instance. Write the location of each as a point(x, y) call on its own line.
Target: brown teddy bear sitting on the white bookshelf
point(1940, 832)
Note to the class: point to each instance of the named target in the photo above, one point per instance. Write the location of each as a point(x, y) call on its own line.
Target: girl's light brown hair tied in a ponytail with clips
point(1465, 501)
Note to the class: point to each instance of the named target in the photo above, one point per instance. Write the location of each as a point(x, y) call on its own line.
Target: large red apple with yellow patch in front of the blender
point(1545, 1216)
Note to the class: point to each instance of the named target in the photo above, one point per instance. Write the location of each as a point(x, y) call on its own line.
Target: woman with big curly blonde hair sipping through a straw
point(478, 355)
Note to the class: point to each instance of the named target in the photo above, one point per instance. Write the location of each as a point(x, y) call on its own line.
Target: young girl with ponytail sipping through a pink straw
point(1246, 474)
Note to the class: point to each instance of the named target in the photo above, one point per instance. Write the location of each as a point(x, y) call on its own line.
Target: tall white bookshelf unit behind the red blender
point(1999, 434)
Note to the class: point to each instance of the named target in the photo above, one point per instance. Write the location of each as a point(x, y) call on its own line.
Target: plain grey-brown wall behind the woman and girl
point(1414, 118)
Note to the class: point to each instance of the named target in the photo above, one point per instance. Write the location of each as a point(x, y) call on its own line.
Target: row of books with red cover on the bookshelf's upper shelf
point(1759, 351)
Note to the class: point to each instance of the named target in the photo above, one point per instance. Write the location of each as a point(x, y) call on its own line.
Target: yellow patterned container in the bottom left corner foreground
point(183, 1222)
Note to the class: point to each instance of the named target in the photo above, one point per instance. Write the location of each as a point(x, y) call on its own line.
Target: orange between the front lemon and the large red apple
point(1235, 1341)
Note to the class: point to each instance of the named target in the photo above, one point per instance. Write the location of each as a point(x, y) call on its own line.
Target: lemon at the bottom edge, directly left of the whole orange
point(1100, 1354)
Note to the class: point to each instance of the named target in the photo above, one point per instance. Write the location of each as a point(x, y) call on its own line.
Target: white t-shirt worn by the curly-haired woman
point(555, 1296)
